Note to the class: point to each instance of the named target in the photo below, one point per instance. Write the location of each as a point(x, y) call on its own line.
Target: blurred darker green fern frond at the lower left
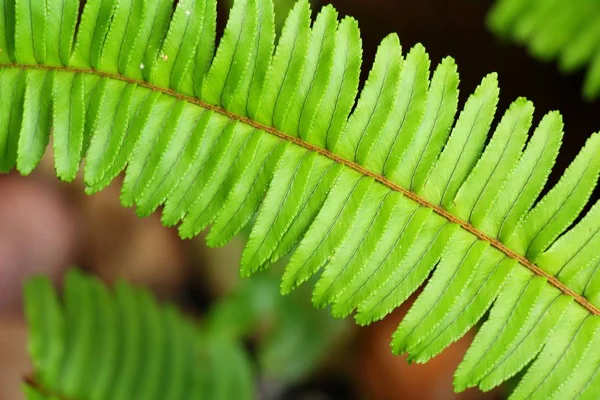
point(95, 343)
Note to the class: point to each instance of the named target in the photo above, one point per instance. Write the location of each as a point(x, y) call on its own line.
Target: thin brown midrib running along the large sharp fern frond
point(553, 280)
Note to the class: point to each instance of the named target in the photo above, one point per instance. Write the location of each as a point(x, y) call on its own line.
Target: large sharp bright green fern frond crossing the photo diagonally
point(377, 195)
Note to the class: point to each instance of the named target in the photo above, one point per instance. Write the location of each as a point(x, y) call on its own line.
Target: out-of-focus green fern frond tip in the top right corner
point(566, 30)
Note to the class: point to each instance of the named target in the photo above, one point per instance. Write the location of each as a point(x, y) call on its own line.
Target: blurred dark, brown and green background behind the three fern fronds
point(300, 353)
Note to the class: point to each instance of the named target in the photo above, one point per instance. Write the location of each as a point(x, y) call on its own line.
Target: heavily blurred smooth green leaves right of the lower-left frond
point(283, 328)
